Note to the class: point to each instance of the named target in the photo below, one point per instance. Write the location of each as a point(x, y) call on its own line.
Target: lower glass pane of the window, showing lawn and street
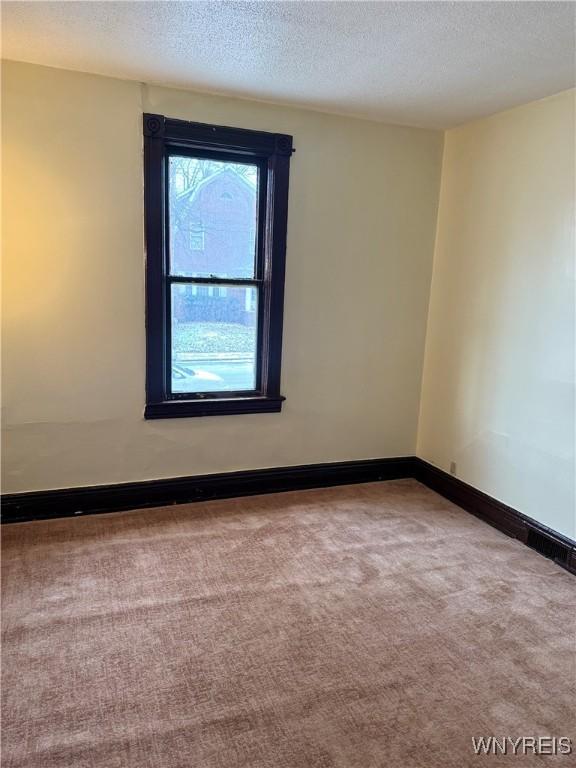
point(214, 338)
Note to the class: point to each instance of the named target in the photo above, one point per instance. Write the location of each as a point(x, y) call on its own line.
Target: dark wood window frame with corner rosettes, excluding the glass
point(271, 152)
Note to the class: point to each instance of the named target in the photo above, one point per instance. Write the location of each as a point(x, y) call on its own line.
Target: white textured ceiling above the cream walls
point(434, 64)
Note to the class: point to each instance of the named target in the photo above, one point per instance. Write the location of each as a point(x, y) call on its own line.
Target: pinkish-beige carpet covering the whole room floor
point(364, 626)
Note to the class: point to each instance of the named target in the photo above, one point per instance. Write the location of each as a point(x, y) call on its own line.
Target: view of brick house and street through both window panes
point(213, 226)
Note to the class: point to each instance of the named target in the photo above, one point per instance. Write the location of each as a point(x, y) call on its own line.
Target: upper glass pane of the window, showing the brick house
point(213, 210)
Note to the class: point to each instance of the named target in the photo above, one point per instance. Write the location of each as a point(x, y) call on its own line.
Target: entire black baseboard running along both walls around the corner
point(68, 502)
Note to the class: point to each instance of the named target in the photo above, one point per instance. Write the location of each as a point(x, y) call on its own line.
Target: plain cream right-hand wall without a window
point(498, 389)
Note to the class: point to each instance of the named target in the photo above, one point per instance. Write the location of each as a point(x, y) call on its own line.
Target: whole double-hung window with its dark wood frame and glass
point(216, 202)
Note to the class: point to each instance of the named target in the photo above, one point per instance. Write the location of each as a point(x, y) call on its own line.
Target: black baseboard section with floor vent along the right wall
point(548, 542)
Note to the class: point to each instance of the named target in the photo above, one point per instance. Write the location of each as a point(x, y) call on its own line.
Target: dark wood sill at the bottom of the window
point(175, 409)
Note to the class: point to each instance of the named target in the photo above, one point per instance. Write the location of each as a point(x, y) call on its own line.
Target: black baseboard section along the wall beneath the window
point(43, 505)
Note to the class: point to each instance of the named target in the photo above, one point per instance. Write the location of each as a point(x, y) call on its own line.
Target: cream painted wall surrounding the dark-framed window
point(363, 205)
